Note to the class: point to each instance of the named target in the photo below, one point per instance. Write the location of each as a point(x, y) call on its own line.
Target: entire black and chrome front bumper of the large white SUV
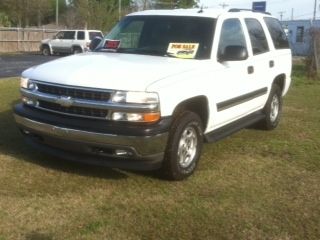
point(143, 150)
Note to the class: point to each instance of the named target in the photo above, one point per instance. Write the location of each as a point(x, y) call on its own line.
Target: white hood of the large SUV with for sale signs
point(110, 70)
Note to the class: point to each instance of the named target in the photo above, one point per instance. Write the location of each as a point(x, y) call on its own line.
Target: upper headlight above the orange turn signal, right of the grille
point(135, 97)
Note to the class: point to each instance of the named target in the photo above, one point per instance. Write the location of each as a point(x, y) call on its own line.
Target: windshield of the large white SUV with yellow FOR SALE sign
point(189, 37)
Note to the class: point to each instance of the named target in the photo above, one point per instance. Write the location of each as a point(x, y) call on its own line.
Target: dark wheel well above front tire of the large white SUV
point(198, 105)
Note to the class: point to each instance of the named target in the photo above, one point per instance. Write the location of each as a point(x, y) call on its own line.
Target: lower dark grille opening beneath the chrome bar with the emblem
point(80, 111)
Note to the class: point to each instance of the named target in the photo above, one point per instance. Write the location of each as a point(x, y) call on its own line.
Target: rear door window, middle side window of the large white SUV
point(257, 36)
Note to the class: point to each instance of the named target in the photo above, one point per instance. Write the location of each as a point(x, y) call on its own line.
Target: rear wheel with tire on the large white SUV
point(272, 109)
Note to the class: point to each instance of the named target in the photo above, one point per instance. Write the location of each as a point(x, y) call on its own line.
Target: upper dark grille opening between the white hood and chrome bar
point(74, 92)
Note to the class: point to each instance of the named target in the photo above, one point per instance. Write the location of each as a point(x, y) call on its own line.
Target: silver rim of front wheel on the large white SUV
point(187, 147)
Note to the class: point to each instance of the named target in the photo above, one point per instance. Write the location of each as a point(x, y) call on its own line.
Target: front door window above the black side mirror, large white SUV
point(231, 35)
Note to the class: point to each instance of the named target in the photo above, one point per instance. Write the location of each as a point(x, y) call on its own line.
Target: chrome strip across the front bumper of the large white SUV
point(141, 146)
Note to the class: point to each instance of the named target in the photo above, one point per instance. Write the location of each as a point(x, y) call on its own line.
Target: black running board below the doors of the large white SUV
point(233, 127)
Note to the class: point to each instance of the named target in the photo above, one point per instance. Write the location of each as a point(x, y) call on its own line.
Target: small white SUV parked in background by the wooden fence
point(69, 41)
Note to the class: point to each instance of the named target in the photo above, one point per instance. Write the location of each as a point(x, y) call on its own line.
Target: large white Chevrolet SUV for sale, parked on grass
point(160, 84)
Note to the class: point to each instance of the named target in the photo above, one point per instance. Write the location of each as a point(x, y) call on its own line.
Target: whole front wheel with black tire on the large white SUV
point(184, 146)
